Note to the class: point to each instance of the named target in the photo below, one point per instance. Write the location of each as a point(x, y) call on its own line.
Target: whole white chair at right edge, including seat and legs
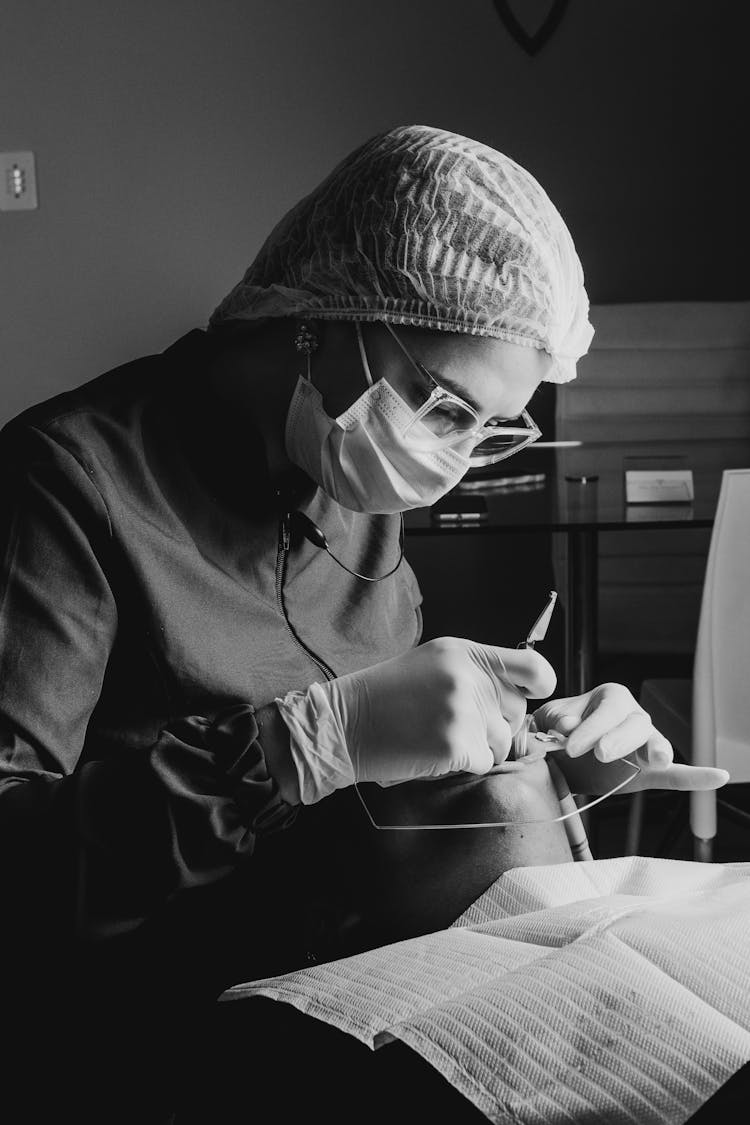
point(708, 719)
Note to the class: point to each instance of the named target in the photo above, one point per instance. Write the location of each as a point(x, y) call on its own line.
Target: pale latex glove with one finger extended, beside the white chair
point(604, 726)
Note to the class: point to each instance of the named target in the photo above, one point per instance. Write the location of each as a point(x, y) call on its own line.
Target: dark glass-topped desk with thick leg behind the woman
point(581, 511)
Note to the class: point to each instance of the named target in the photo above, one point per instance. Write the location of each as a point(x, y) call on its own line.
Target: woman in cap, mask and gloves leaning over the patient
point(206, 620)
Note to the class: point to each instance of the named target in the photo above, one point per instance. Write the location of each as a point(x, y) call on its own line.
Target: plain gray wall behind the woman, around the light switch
point(171, 134)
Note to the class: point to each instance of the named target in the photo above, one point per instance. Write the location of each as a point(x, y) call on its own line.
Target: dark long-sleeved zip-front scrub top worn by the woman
point(147, 608)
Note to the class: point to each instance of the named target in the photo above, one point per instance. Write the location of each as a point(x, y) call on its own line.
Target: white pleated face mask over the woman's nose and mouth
point(360, 460)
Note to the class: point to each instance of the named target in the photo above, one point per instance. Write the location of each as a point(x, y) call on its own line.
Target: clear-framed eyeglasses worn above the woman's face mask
point(442, 419)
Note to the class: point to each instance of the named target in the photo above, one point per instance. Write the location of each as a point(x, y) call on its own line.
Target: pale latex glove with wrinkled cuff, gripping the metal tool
point(445, 707)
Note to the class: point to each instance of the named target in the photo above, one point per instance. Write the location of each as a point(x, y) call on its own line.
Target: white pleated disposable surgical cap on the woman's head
point(427, 228)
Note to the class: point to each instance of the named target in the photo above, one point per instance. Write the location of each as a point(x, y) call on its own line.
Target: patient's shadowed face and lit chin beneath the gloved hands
point(391, 886)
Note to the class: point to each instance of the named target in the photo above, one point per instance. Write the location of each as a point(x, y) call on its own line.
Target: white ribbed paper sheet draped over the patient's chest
point(615, 989)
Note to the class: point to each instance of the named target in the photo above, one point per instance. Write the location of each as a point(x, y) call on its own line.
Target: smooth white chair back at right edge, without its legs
point(721, 681)
